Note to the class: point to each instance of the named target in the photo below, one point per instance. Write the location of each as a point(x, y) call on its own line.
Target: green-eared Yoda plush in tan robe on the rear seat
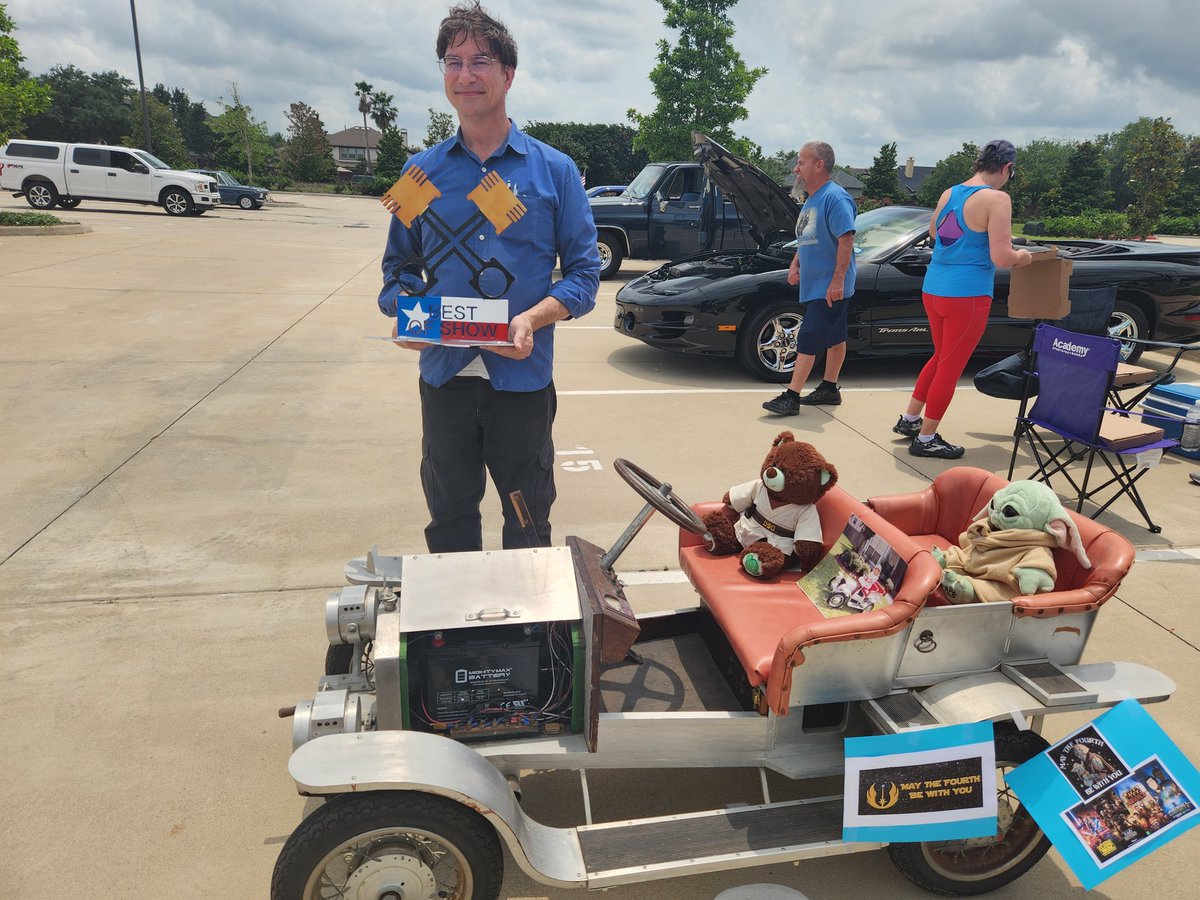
point(1006, 551)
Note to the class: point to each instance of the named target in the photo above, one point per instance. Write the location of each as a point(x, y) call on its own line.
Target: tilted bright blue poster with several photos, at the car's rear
point(1111, 793)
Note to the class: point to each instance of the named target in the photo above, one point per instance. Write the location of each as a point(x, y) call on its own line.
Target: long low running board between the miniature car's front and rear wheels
point(713, 841)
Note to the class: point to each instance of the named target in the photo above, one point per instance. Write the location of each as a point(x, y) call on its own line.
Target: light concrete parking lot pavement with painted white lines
point(199, 436)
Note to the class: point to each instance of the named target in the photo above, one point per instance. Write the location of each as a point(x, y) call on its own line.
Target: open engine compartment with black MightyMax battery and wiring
point(490, 682)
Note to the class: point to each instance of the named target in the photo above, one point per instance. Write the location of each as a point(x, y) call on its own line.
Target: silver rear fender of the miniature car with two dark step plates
point(1028, 691)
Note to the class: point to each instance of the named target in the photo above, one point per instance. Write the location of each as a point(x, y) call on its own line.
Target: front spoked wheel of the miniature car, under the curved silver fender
point(391, 844)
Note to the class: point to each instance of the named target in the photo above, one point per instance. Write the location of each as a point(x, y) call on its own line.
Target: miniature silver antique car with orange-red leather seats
point(452, 675)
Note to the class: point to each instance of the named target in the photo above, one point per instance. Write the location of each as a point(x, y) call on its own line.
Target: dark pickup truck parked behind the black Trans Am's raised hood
point(667, 213)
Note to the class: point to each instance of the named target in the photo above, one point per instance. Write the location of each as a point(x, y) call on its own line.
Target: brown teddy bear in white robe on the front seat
point(773, 520)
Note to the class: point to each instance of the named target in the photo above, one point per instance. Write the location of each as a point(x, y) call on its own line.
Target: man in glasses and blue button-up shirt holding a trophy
point(485, 215)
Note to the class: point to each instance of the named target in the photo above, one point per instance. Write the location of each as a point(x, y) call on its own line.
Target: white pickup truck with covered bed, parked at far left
point(49, 173)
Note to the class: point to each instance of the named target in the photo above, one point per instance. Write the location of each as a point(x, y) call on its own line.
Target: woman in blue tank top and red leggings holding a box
point(973, 233)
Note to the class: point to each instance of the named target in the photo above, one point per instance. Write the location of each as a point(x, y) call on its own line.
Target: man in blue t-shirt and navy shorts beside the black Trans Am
point(824, 268)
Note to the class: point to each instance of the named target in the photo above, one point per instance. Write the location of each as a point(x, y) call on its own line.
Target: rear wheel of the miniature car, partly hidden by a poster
point(983, 865)
